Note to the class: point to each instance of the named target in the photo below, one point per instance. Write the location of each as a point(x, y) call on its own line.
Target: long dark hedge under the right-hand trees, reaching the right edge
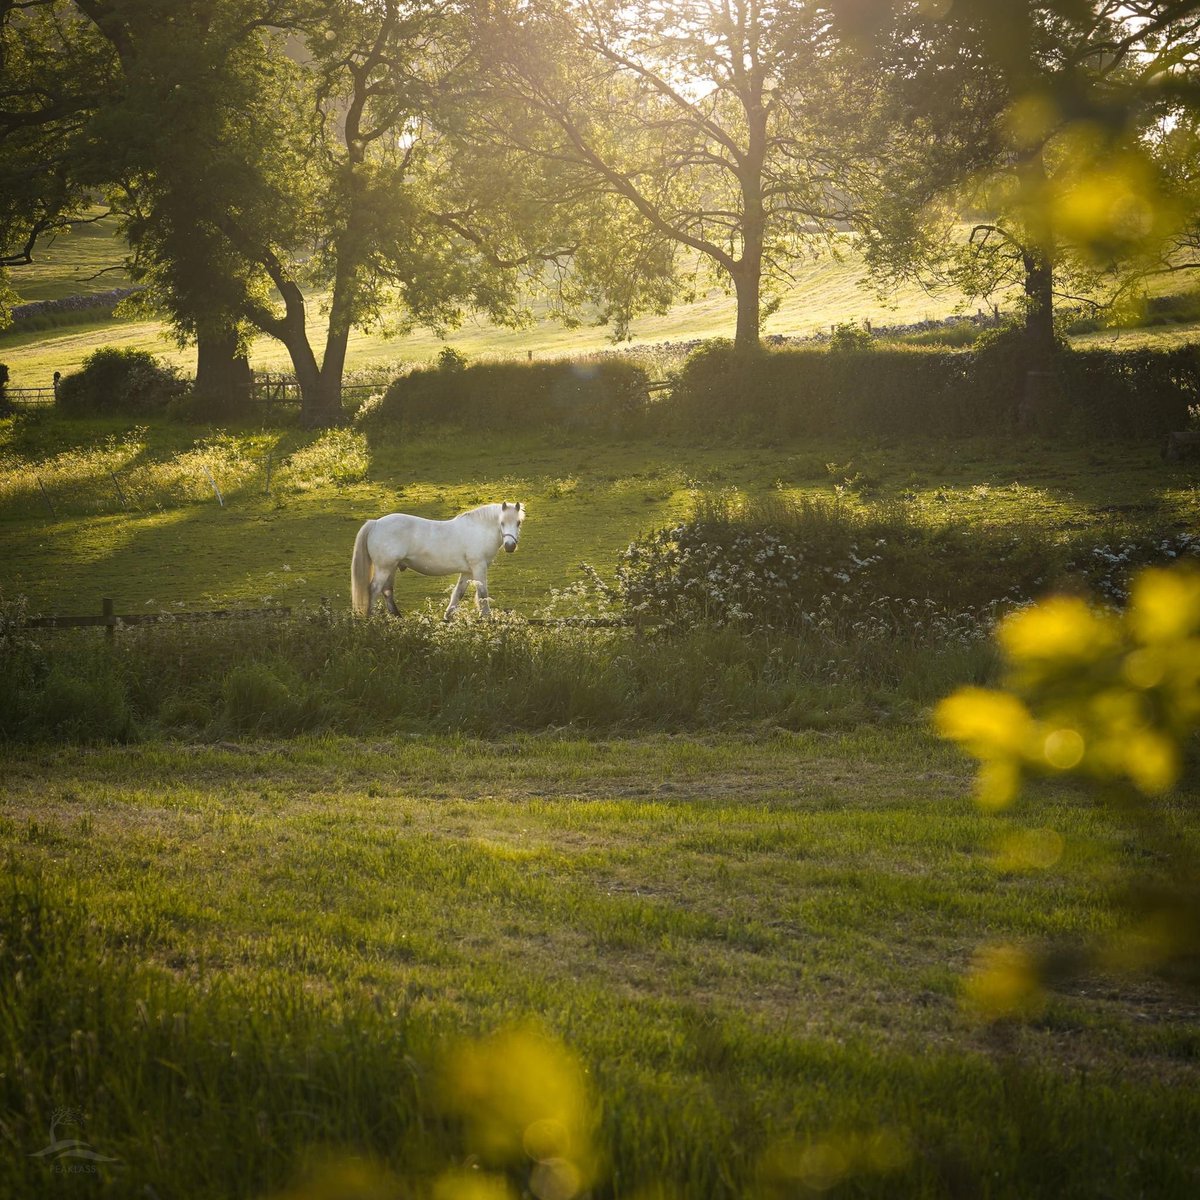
point(921, 391)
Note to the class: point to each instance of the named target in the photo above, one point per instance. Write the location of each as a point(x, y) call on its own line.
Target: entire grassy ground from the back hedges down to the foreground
point(734, 879)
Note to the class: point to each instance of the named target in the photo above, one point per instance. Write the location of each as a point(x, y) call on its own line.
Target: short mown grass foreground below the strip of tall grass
point(241, 956)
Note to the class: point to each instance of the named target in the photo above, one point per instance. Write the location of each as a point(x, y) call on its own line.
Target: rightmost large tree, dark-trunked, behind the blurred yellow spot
point(1063, 189)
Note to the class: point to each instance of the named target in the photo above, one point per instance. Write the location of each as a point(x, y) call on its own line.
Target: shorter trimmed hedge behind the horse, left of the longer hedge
point(603, 395)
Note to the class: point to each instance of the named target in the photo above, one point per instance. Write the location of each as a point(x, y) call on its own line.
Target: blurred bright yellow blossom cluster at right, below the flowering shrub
point(1112, 699)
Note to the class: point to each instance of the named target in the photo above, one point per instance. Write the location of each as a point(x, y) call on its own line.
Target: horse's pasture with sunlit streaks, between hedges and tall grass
point(176, 547)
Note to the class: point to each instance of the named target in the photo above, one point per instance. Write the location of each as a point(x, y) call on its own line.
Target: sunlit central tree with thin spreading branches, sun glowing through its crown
point(729, 130)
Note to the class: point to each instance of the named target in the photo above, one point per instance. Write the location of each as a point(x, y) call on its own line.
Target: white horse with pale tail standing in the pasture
point(465, 544)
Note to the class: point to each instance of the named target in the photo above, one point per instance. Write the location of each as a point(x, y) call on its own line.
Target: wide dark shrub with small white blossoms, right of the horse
point(794, 566)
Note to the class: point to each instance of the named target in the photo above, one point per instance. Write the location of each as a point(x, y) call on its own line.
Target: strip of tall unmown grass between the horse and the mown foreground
point(325, 671)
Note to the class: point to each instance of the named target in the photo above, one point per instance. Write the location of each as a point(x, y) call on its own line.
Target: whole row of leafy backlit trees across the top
point(412, 161)
